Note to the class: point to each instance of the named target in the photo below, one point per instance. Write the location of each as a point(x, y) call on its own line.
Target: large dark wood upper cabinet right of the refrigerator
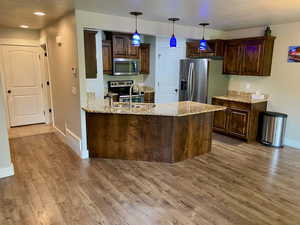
point(248, 56)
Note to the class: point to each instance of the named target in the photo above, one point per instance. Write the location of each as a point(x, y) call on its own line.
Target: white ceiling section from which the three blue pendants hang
point(222, 14)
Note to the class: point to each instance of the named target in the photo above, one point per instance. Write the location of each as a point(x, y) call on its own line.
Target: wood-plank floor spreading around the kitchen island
point(237, 183)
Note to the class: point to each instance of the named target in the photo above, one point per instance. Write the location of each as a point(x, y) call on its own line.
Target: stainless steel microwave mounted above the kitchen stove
point(123, 66)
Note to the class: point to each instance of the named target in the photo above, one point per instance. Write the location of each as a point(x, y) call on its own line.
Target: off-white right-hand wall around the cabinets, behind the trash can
point(283, 84)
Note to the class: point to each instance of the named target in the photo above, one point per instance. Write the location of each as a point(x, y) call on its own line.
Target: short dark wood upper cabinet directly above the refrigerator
point(215, 48)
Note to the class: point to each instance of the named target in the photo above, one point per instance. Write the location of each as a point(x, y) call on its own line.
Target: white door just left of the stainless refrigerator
point(167, 70)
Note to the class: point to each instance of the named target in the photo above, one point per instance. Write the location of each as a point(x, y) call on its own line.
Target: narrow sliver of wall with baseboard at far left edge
point(6, 167)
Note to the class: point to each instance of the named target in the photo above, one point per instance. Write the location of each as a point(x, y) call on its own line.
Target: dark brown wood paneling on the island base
point(148, 138)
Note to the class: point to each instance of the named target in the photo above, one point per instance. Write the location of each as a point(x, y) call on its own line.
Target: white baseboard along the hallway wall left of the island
point(73, 141)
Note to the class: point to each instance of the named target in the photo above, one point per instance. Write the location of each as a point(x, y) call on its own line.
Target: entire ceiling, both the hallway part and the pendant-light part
point(222, 14)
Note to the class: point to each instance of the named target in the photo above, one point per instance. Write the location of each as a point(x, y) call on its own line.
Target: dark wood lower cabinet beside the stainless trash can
point(240, 119)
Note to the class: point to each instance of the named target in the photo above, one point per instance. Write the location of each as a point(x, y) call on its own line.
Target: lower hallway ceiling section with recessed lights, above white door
point(14, 13)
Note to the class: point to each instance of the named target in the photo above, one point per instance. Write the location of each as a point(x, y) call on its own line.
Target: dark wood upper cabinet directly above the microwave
point(122, 47)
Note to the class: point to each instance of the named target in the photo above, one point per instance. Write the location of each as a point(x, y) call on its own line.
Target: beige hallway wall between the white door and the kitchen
point(65, 83)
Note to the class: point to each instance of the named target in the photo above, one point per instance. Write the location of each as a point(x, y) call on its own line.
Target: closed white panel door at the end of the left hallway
point(22, 71)
